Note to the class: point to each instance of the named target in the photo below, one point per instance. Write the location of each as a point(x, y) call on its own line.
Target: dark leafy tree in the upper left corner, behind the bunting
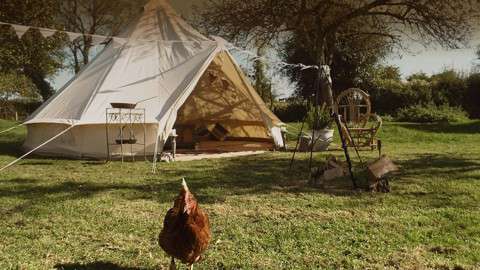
point(32, 55)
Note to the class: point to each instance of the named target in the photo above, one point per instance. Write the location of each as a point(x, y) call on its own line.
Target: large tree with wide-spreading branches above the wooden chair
point(318, 26)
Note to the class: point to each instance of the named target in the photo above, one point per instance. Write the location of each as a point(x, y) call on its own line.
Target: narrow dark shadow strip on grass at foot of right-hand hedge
point(472, 127)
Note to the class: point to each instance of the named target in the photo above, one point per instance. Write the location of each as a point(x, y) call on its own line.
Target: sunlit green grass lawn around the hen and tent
point(86, 215)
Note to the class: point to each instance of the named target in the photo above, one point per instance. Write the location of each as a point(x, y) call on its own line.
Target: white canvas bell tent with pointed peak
point(178, 75)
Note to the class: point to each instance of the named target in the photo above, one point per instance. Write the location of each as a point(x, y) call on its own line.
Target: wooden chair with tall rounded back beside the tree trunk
point(355, 108)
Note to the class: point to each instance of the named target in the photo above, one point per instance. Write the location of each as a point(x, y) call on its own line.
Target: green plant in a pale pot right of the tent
point(319, 121)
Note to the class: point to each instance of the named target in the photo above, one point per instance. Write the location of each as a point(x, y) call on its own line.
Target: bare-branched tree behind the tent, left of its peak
point(89, 17)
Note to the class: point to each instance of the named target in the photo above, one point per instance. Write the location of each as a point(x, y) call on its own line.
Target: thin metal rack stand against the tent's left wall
point(125, 121)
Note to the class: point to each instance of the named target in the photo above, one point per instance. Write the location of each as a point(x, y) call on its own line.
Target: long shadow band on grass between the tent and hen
point(211, 184)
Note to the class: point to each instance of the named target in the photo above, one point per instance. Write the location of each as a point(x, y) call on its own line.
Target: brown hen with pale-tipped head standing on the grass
point(186, 230)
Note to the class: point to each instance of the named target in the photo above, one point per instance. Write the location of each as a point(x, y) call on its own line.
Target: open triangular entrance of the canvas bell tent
point(220, 115)
